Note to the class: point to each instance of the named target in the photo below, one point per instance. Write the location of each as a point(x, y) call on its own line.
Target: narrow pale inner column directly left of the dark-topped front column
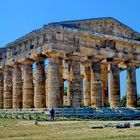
point(87, 86)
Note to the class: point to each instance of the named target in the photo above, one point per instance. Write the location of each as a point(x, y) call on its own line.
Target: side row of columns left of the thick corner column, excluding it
point(17, 90)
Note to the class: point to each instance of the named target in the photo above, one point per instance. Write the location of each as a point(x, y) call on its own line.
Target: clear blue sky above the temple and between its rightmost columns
point(18, 17)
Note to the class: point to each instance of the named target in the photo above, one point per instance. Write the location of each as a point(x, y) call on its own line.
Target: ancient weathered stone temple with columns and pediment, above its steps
point(82, 52)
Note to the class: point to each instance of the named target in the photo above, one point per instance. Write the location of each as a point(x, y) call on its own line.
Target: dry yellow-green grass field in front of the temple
point(26, 130)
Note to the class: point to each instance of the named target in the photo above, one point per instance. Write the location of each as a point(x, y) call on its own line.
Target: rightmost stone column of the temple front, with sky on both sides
point(131, 87)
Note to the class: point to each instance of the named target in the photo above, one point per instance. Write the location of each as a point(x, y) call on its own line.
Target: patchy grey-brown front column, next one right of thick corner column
point(75, 85)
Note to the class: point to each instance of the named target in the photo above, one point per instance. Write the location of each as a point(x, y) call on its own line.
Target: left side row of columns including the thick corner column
point(18, 91)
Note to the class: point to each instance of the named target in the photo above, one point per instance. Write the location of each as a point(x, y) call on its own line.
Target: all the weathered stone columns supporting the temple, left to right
point(17, 89)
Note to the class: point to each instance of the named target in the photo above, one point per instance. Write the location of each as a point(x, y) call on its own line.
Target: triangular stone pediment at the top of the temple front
point(109, 26)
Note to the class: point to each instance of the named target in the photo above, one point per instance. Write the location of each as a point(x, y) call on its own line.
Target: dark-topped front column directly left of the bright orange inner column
point(96, 85)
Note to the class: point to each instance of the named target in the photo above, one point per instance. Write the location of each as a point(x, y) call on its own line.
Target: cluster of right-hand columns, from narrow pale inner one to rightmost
point(96, 86)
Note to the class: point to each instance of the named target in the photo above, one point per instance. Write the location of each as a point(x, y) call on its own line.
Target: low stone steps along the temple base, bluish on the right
point(72, 113)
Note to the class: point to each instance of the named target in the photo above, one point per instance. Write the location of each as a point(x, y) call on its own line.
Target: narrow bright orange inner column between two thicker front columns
point(104, 84)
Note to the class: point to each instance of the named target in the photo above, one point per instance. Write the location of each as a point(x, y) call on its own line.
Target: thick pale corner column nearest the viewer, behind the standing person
point(53, 83)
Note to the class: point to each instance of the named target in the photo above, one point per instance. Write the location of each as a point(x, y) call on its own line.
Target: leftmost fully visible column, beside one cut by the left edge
point(7, 89)
